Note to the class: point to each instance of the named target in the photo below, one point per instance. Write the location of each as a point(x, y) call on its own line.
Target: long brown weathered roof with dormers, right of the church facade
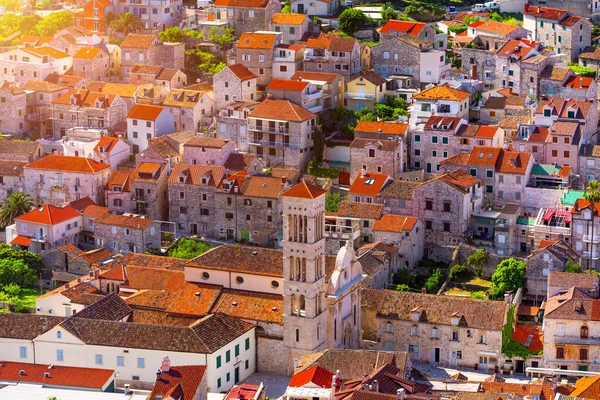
point(478, 314)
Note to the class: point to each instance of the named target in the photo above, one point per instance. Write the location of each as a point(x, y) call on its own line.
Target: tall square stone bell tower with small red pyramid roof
point(304, 314)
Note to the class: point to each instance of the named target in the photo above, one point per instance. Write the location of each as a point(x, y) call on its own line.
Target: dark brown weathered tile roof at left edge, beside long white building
point(26, 326)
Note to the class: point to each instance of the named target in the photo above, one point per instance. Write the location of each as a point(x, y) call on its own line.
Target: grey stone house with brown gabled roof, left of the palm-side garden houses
point(446, 205)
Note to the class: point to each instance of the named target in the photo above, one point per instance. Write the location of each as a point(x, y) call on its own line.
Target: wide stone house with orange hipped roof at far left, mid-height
point(56, 179)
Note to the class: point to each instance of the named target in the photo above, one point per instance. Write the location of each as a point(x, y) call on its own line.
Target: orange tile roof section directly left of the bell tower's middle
point(253, 306)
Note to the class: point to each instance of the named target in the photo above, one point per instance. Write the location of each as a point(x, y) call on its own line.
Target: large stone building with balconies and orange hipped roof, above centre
point(281, 131)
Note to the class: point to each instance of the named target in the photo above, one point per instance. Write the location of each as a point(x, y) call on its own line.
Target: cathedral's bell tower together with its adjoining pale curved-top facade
point(318, 313)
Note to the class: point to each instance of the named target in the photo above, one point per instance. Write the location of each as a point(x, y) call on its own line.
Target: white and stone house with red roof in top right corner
point(557, 28)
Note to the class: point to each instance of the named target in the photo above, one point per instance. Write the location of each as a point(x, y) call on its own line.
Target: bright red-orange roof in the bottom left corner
point(60, 376)
